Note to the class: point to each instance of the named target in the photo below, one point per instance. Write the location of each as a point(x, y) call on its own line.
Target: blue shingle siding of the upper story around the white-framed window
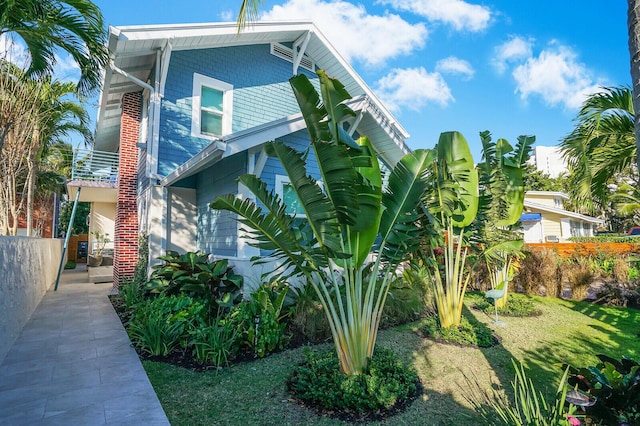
point(261, 94)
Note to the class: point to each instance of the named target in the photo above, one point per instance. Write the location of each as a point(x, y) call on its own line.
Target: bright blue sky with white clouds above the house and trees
point(511, 67)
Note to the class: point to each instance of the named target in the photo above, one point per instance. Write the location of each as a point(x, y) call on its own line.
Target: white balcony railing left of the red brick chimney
point(95, 166)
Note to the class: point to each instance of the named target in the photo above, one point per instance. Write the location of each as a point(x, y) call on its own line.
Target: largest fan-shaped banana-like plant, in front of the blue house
point(344, 218)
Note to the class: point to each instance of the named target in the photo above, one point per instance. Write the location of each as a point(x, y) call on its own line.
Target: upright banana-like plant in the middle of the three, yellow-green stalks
point(452, 200)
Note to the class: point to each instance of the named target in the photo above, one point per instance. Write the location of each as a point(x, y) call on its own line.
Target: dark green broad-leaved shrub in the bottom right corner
point(616, 388)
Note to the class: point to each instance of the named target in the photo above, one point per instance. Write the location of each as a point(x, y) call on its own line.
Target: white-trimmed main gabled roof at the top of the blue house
point(135, 50)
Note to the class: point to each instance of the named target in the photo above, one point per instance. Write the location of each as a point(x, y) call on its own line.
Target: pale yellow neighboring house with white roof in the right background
point(546, 220)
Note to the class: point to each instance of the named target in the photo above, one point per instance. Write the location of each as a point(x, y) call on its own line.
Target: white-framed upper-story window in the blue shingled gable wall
point(212, 104)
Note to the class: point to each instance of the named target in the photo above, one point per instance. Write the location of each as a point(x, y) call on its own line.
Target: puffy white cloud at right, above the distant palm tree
point(556, 76)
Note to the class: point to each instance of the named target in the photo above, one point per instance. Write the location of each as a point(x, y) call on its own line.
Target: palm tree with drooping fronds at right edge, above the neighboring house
point(601, 146)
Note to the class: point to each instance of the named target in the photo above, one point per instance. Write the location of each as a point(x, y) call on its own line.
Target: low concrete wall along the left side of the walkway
point(28, 268)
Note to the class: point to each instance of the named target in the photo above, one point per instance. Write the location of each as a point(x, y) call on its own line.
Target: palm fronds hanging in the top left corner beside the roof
point(75, 26)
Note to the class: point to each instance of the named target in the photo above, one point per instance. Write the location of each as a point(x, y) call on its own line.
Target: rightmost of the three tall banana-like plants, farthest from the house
point(501, 204)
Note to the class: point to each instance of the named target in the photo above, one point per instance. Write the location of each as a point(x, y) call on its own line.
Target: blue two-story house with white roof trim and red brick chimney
point(185, 110)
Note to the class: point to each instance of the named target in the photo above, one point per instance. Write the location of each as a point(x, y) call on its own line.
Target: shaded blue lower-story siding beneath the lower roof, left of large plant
point(217, 230)
